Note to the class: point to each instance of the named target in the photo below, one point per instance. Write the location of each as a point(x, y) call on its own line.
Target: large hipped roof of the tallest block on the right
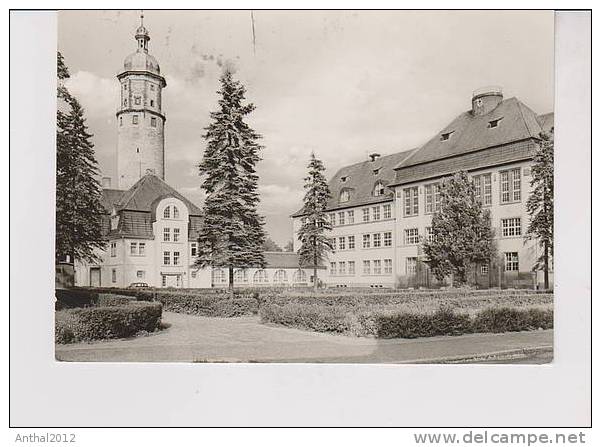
point(472, 133)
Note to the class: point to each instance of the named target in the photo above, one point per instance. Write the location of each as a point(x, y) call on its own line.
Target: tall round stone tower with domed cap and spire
point(140, 119)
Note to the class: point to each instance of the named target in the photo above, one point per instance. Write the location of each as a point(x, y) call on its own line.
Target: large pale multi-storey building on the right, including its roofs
point(494, 142)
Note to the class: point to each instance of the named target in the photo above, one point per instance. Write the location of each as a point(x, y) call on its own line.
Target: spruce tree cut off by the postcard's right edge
point(540, 203)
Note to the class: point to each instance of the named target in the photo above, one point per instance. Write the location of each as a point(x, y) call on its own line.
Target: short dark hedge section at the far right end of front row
point(507, 319)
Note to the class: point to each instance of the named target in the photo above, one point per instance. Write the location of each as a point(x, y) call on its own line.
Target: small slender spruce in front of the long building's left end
point(312, 233)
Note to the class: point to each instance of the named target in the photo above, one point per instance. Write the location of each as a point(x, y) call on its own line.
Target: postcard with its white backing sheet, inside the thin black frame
point(343, 205)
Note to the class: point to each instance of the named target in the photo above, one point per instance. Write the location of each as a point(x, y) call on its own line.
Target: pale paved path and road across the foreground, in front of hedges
point(201, 339)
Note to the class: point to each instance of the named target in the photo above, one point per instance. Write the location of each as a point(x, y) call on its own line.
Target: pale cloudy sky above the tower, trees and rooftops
point(341, 84)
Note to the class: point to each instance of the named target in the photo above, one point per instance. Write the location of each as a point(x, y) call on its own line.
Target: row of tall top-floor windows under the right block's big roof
point(510, 192)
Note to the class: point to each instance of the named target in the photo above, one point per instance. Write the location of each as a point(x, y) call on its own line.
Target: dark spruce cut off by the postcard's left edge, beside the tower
point(79, 209)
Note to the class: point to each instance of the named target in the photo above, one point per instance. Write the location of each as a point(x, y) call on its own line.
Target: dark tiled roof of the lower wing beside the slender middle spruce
point(360, 180)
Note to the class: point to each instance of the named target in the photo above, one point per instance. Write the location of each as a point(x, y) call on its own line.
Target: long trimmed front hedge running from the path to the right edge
point(387, 323)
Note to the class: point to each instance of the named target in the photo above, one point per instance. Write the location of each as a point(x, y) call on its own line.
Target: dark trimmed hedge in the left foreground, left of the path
point(97, 323)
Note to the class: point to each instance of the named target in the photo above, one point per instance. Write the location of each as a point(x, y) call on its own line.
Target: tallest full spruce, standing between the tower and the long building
point(232, 234)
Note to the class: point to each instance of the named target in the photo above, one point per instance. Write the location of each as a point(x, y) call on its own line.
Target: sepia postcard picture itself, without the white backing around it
point(361, 201)
